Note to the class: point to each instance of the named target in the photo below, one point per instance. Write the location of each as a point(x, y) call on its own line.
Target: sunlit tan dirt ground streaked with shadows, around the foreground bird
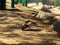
point(10, 32)
